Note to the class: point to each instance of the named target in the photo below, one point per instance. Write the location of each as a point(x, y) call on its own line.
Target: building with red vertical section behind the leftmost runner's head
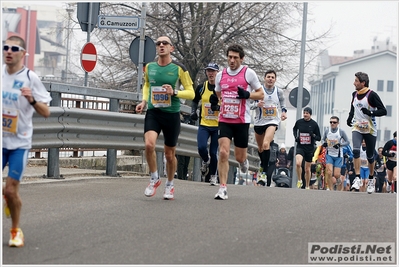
point(45, 30)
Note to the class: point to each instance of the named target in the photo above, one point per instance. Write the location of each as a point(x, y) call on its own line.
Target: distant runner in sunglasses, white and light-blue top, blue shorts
point(334, 140)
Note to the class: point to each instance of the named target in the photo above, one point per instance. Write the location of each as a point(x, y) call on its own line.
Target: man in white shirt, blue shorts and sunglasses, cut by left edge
point(22, 94)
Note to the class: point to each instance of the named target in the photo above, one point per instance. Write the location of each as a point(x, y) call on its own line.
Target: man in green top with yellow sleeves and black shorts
point(162, 80)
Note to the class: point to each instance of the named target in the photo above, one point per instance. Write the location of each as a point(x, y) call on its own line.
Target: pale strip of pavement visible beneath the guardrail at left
point(39, 173)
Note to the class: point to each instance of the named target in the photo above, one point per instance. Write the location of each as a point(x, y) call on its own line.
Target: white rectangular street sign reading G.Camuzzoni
point(118, 22)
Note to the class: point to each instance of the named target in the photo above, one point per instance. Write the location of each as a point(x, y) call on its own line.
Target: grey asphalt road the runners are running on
point(110, 221)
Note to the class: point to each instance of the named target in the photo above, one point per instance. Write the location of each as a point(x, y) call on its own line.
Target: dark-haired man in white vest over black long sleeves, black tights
point(366, 105)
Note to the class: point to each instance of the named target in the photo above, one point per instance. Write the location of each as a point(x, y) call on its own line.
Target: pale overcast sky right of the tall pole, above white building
point(355, 23)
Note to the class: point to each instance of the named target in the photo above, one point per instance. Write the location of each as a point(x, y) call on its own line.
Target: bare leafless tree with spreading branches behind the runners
point(201, 32)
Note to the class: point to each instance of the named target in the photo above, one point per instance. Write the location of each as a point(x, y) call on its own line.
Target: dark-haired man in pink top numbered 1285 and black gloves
point(235, 86)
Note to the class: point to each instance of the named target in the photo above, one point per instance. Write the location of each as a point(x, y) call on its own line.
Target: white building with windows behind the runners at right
point(332, 87)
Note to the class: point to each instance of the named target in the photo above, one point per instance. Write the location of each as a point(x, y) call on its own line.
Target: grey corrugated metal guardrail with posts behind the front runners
point(84, 128)
